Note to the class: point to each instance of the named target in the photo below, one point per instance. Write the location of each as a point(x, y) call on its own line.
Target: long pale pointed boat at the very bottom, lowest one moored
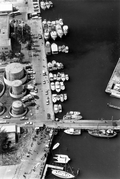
point(62, 174)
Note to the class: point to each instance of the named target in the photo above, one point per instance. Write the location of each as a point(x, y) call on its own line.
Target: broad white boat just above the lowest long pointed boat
point(61, 158)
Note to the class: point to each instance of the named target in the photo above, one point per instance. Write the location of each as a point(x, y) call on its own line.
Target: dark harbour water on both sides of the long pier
point(94, 51)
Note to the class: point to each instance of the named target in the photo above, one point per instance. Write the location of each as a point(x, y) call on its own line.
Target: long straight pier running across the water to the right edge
point(81, 124)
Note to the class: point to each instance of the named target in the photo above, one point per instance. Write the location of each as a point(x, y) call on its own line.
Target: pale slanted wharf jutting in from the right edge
point(115, 78)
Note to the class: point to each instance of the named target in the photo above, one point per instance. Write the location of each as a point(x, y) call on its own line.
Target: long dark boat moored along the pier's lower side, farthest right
point(109, 133)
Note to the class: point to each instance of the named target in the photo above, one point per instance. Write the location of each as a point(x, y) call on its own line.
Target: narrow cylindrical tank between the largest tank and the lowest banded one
point(17, 87)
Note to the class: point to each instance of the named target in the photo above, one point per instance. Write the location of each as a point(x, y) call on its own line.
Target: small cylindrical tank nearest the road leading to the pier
point(17, 108)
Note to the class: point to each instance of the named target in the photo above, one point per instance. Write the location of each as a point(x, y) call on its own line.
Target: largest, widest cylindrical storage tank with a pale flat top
point(14, 71)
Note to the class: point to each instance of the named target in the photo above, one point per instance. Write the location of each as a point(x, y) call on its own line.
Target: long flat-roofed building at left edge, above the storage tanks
point(5, 41)
